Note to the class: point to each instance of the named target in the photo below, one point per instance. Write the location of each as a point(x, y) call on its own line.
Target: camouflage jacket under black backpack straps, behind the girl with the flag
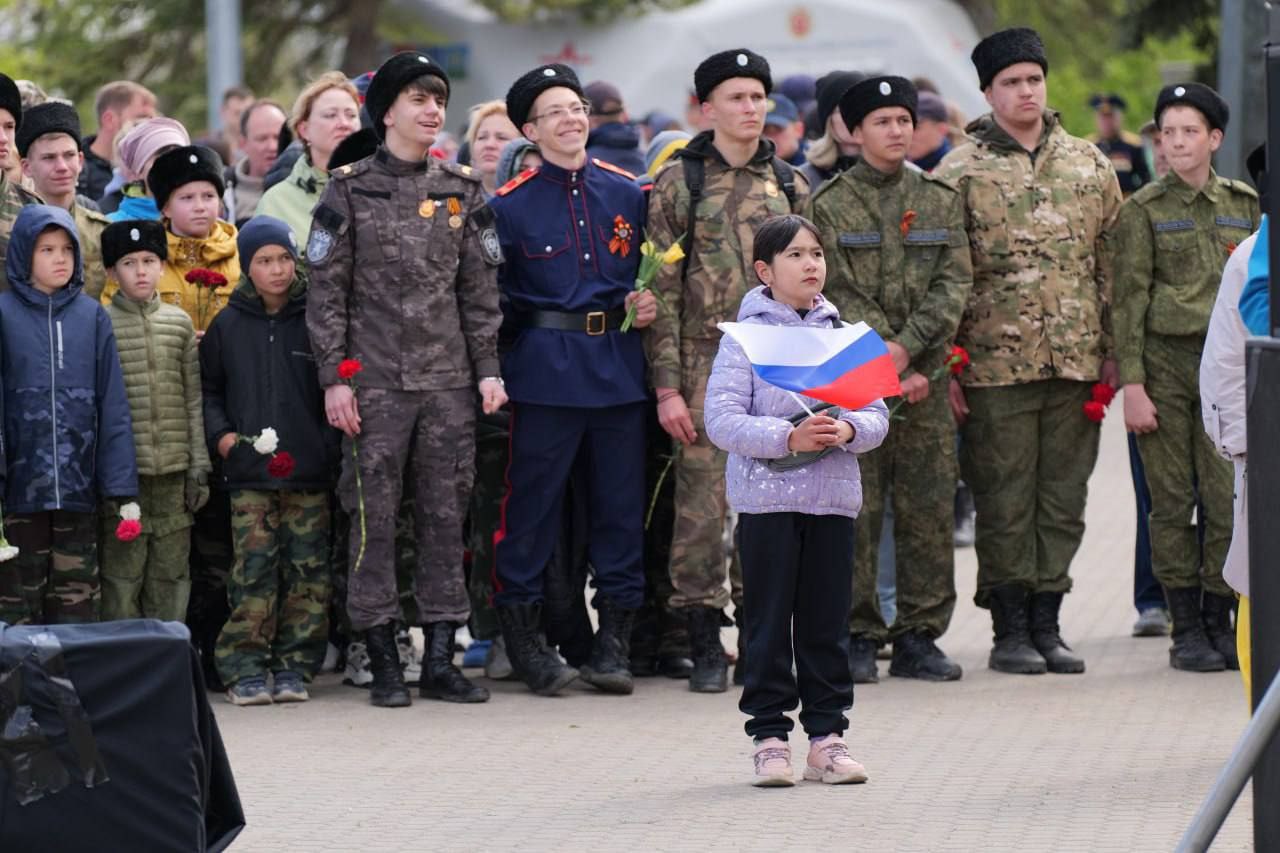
point(734, 204)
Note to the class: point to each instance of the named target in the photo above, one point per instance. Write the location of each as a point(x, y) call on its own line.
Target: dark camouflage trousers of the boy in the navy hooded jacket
point(54, 578)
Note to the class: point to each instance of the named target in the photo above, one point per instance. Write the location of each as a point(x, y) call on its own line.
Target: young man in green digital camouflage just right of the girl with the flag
point(899, 261)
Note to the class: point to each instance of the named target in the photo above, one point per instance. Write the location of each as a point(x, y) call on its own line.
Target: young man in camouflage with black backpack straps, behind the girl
point(743, 184)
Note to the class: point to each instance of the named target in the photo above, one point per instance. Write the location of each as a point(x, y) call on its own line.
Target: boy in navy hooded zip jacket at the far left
point(67, 440)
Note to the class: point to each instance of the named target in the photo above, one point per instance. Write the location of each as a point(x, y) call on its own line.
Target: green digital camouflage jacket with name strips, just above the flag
point(897, 257)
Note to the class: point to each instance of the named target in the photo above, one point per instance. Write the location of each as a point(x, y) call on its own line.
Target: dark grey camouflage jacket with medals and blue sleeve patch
point(405, 276)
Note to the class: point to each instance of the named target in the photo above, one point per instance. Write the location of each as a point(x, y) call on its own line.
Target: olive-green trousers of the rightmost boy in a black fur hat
point(1182, 463)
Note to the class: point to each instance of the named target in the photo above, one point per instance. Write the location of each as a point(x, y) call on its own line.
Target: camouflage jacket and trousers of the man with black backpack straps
point(683, 343)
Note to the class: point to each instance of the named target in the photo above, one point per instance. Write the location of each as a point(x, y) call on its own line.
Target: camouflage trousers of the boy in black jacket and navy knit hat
point(280, 586)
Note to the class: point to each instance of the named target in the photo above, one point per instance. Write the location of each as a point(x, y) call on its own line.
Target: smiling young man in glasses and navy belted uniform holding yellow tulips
point(570, 235)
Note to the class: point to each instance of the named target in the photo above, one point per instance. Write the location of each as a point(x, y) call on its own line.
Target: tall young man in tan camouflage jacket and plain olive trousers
point(1039, 204)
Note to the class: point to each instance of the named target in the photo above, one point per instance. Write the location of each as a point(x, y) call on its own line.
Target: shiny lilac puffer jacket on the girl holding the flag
point(748, 418)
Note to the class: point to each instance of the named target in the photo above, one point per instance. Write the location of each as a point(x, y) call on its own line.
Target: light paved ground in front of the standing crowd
point(1118, 759)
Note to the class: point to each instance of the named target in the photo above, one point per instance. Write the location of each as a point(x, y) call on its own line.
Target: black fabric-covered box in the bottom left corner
point(108, 742)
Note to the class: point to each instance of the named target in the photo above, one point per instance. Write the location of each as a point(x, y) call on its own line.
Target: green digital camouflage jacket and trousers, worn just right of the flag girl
point(899, 261)
